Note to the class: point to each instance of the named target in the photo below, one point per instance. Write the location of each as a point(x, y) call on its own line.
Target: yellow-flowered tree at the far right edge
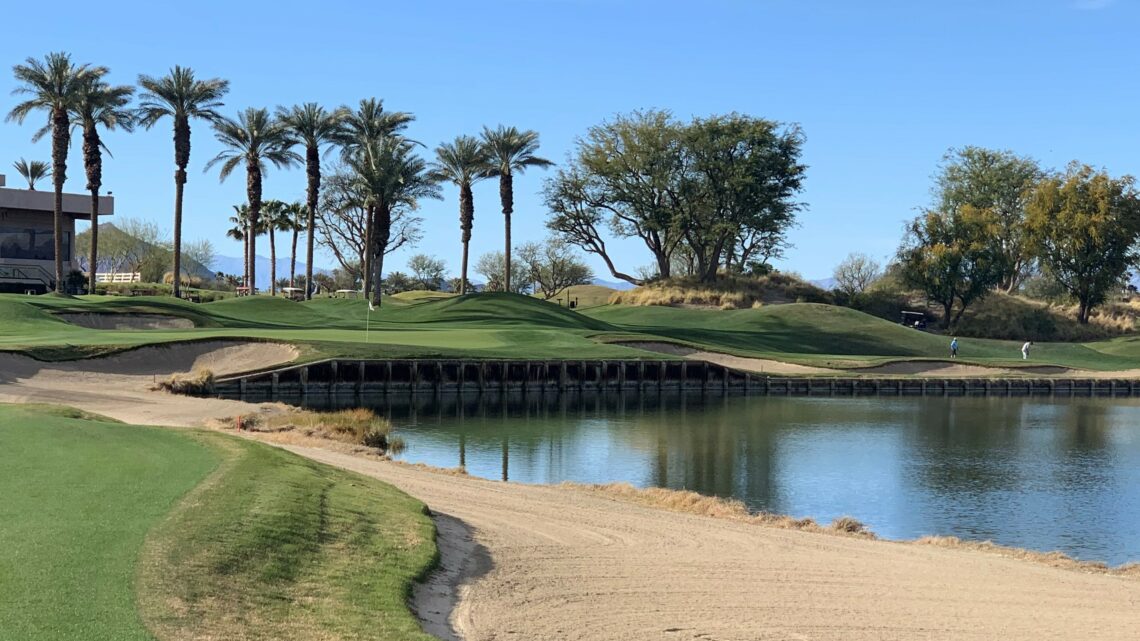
point(1084, 228)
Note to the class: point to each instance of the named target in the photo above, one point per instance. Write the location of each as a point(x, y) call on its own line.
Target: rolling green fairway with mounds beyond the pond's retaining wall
point(492, 326)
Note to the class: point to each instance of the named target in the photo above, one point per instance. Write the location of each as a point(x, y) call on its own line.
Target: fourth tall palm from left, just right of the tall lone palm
point(255, 139)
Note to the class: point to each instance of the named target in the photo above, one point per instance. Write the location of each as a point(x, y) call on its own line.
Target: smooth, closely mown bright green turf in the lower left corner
point(79, 499)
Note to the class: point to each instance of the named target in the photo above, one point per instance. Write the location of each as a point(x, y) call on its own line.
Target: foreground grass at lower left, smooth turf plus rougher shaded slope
point(118, 532)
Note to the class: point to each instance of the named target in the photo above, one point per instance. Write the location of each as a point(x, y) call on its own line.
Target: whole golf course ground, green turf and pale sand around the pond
point(115, 531)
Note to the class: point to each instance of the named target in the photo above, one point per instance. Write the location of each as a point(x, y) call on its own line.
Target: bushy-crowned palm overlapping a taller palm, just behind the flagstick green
point(392, 177)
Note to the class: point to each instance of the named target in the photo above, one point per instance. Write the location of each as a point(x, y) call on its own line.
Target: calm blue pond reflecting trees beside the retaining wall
point(1029, 473)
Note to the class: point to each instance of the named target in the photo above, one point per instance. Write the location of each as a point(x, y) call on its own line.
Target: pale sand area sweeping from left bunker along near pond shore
point(553, 563)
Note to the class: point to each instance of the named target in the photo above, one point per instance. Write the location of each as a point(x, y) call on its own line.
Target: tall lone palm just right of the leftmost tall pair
point(182, 98)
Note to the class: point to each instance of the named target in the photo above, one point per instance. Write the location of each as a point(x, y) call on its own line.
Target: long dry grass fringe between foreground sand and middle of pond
point(694, 504)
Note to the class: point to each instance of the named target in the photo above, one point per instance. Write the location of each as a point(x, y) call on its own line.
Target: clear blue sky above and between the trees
point(882, 90)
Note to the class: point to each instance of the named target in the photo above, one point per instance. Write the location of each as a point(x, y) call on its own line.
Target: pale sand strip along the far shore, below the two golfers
point(927, 369)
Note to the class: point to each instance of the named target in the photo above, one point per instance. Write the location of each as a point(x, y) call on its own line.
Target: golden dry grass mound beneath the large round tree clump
point(727, 293)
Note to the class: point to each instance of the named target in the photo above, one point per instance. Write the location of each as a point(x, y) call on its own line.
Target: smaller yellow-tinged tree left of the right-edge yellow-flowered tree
point(952, 258)
